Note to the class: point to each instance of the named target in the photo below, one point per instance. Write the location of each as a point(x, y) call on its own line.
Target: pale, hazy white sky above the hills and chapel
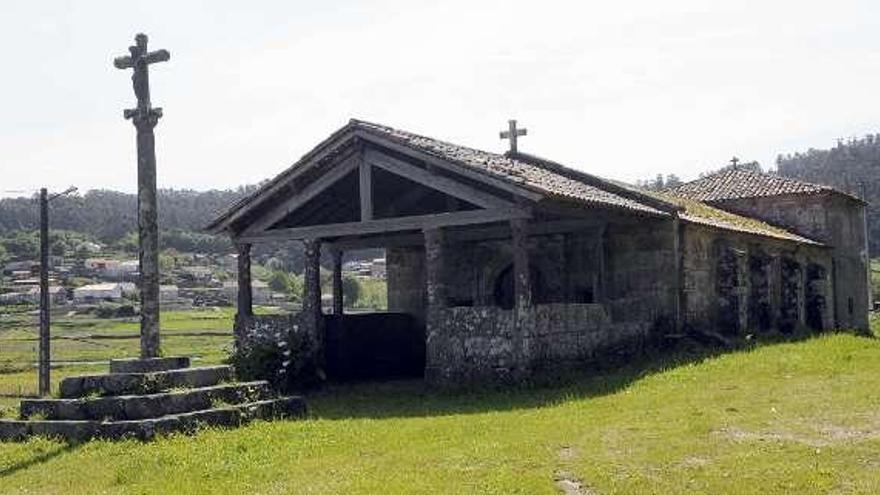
point(624, 89)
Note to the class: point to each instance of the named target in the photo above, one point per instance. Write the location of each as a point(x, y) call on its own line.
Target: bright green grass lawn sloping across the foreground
point(799, 417)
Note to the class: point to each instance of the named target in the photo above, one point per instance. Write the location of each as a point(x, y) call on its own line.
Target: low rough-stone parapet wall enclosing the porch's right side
point(478, 344)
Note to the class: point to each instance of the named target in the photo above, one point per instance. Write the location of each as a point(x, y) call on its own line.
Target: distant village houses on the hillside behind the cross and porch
point(105, 279)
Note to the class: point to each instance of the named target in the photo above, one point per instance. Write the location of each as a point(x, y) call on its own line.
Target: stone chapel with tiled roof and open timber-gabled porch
point(499, 265)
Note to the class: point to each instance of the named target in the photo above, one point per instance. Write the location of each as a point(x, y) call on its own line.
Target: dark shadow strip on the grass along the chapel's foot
point(413, 398)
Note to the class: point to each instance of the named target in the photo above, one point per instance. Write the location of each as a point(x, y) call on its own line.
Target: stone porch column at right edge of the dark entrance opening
point(438, 365)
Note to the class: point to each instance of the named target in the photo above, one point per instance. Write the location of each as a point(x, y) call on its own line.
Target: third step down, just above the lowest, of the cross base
point(130, 407)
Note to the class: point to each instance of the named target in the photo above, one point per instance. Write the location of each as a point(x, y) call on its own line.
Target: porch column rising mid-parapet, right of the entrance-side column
point(522, 293)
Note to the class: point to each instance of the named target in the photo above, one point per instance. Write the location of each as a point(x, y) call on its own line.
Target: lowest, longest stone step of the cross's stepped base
point(147, 429)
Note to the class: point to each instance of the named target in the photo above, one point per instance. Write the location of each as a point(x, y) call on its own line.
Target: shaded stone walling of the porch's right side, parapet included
point(626, 270)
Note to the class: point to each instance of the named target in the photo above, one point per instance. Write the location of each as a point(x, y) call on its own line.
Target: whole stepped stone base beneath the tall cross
point(142, 398)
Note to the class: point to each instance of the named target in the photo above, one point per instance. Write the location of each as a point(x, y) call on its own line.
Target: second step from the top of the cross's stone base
point(143, 383)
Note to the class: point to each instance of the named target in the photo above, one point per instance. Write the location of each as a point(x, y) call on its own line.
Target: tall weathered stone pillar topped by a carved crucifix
point(145, 118)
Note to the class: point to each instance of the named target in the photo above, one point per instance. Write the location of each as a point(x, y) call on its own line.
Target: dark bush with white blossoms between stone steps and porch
point(284, 359)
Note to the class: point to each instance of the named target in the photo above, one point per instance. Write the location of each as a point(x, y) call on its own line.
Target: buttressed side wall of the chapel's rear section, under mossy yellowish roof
point(735, 283)
